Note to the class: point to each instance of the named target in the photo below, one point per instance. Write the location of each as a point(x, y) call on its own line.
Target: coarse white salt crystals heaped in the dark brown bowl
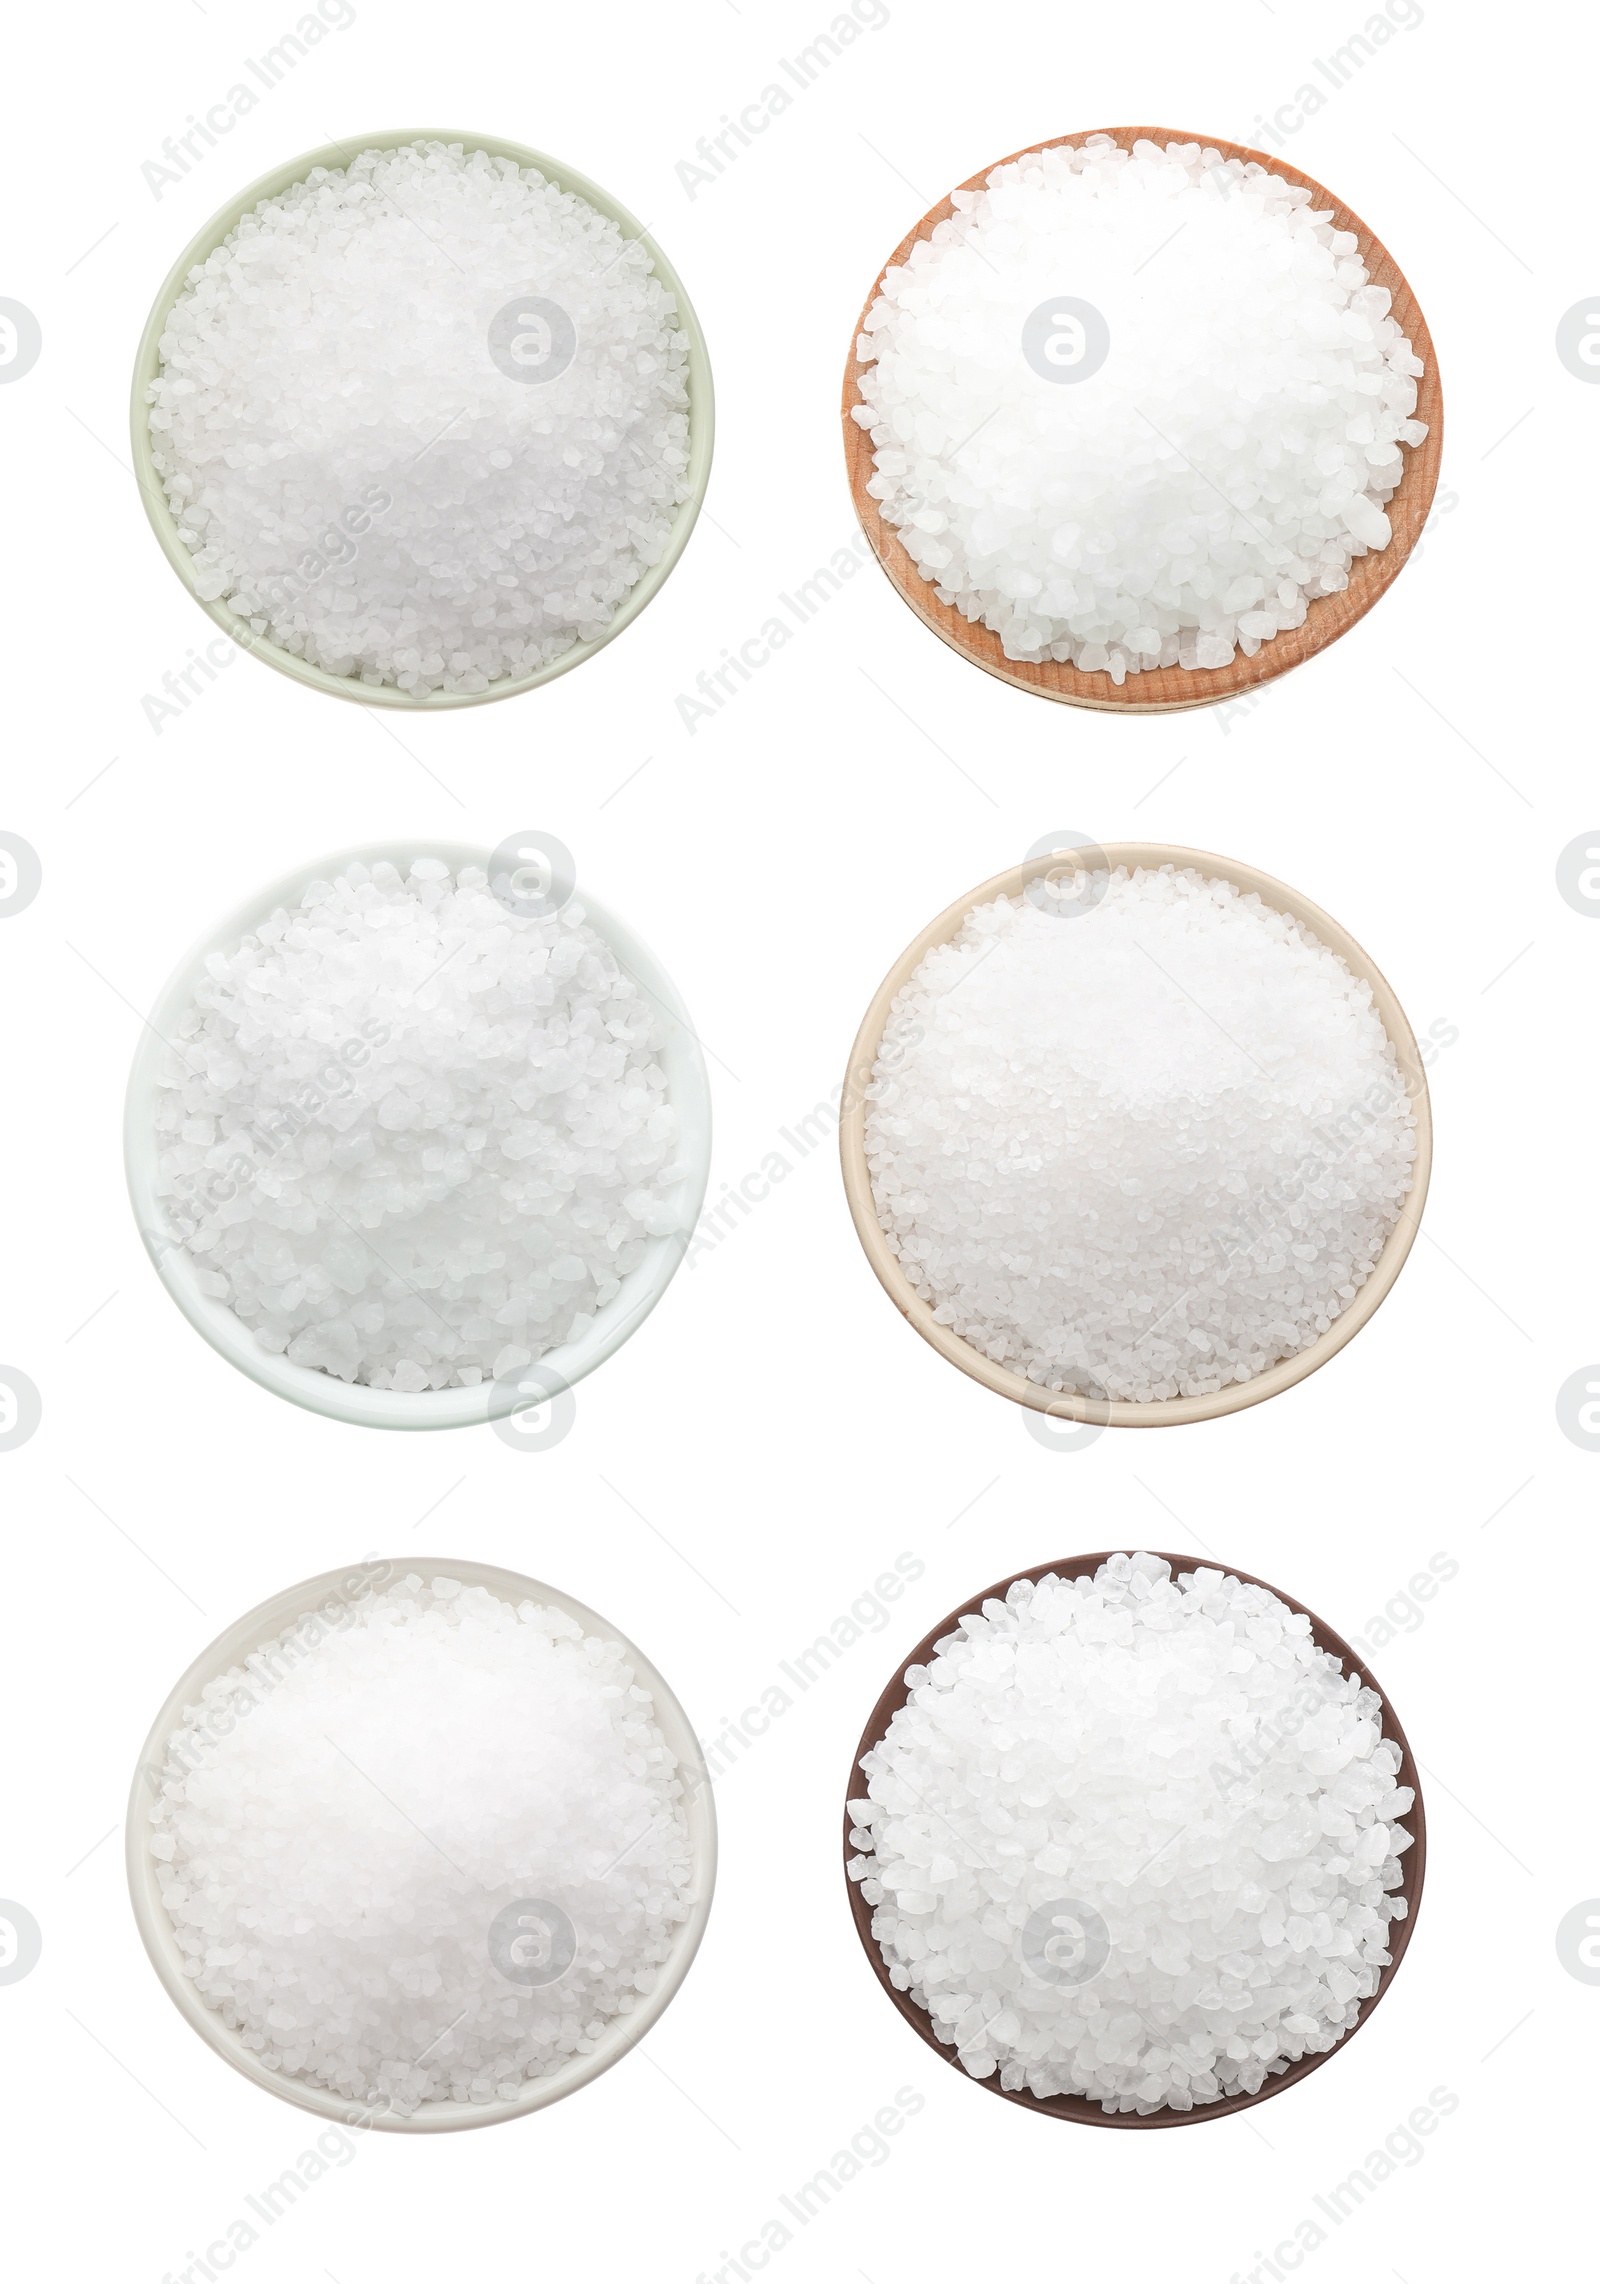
point(1136, 1837)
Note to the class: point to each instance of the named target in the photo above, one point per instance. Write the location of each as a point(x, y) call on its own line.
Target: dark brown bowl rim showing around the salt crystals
point(1078, 2107)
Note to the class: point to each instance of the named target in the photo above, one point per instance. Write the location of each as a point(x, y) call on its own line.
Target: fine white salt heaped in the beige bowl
point(1138, 1143)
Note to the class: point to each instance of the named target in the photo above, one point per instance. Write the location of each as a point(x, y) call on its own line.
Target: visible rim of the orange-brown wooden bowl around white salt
point(1170, 689)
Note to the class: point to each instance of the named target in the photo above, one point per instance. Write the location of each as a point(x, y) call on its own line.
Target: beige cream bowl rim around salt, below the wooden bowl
point(1174, 1410)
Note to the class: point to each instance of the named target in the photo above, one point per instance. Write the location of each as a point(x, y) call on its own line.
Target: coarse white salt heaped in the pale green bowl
point(353, 467)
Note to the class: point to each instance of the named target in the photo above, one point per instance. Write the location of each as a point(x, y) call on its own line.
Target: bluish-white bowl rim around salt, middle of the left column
point(688, 1088)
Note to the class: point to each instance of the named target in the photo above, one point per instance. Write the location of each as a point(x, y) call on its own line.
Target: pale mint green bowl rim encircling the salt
point(147, 367)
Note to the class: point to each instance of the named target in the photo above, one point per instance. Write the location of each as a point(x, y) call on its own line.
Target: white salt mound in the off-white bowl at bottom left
point(355, 1826)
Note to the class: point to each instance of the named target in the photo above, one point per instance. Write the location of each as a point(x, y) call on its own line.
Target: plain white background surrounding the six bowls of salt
point(775, 1435)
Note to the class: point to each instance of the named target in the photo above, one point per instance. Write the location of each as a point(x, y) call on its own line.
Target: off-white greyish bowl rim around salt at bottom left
point(156, 1931)
